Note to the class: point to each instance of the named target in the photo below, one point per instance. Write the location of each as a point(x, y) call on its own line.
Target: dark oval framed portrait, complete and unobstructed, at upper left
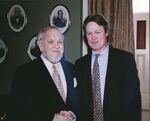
point(16, 18)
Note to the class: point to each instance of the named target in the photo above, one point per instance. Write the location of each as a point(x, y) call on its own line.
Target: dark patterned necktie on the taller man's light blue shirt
point(97, 101)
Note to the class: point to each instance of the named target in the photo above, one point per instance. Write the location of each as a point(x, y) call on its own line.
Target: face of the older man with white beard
point(51, 45)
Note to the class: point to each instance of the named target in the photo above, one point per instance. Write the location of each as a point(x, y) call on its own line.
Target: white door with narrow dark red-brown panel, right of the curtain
point(141, 35)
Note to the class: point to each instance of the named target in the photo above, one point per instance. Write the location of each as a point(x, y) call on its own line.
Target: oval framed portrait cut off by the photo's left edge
point(3, 51)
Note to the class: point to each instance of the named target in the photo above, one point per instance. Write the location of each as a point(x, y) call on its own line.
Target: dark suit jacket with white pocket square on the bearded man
point(35, 96)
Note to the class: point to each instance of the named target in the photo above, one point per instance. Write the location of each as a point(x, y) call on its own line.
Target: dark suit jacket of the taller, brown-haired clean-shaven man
point(122, 99)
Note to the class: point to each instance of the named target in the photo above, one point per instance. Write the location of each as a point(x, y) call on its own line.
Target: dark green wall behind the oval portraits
point(37, 12)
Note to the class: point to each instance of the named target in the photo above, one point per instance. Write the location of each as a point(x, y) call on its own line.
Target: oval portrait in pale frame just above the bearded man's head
point(60, 18)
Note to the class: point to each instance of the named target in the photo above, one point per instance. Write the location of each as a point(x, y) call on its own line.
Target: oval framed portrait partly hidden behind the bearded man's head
point(33, 49)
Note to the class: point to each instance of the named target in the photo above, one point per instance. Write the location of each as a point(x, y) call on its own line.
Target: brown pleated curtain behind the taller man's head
point(119, 15)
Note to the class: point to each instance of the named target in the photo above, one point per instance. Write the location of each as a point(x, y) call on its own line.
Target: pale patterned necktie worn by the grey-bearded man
point(58, 82)
